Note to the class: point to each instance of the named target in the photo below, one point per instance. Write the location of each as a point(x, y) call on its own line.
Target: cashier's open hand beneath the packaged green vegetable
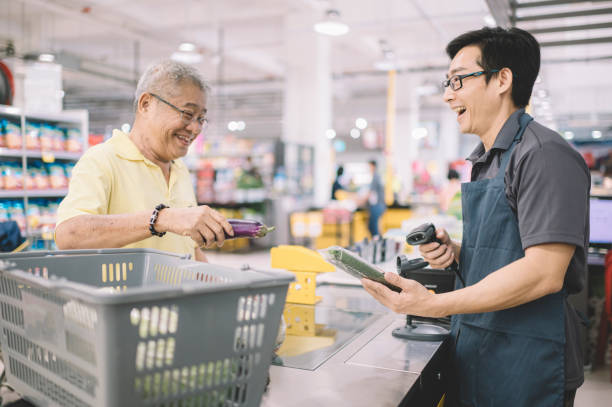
point(414, 299)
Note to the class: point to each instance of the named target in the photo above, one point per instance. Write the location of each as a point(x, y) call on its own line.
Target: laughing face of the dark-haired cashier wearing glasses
point(475, 102)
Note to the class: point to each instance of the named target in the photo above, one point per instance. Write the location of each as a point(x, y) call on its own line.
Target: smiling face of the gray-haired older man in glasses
point(173, 135)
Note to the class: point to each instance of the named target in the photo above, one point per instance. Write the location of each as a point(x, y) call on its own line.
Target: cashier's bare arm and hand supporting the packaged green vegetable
point(539, 273)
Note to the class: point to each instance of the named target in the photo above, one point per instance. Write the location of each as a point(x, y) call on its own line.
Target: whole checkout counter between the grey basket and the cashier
point(340, 352)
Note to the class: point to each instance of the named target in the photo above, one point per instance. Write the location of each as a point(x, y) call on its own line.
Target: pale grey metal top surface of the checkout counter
point(374, 369)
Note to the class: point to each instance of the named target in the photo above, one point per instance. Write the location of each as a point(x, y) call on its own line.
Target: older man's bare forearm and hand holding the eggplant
point(204, 225)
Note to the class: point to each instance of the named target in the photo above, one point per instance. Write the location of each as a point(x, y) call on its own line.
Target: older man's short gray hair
point(163, 77)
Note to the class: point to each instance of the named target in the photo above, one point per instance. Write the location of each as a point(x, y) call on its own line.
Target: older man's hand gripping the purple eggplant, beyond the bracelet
point(203, 225)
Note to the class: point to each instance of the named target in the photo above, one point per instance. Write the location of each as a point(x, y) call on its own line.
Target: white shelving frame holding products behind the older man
point(69, 119)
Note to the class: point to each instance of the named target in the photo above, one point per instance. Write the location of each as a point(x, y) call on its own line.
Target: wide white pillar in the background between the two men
point(307, 112)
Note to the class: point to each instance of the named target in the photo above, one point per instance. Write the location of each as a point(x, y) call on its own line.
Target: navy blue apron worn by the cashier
point(512, 357)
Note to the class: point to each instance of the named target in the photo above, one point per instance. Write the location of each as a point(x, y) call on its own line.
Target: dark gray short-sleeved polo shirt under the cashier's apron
point(547, 187)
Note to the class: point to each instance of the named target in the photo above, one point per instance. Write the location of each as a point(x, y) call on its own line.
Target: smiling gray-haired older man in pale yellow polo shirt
point(133, 190)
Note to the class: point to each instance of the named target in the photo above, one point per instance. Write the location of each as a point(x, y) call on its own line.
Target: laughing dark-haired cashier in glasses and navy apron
point(525, 232)
